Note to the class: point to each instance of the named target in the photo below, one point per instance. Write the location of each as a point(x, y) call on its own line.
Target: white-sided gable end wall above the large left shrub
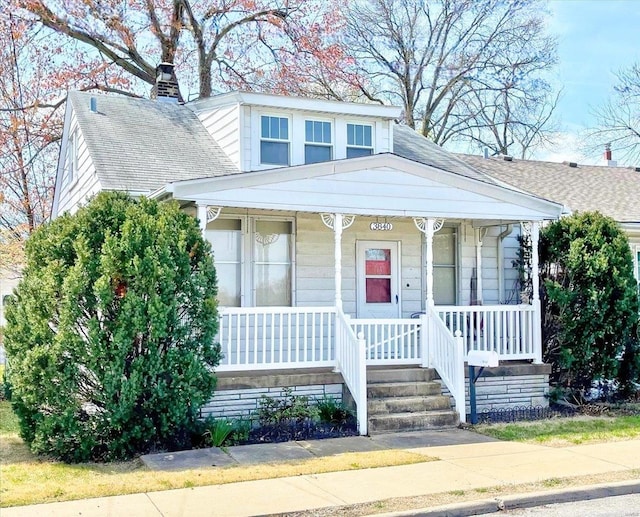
point(85, 184)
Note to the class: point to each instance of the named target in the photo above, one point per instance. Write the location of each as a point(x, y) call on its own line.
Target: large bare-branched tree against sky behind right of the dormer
point(459, 68)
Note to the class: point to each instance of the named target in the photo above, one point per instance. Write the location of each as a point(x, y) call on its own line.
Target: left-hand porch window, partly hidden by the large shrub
point(225, 236)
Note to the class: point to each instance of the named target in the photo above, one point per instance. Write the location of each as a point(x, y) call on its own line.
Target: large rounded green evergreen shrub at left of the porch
point(110, 333)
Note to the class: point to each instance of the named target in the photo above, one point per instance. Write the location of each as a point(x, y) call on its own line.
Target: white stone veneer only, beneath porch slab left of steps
point(243, 403)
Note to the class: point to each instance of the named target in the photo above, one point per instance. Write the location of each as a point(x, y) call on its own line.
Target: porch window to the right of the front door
point(444, 267)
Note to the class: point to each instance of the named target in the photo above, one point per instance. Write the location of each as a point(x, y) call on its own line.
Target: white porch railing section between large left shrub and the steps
point(269, 338)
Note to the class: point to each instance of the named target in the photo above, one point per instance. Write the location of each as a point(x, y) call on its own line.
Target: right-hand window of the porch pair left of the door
point(272, 245)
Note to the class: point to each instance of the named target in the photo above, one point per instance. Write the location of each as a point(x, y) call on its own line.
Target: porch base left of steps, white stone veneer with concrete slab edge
point(239, 396)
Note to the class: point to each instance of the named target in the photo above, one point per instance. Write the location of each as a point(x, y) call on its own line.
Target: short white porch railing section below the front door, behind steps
point(390, 341)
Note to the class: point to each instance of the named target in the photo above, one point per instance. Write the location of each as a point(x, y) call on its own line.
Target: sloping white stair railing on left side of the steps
point(350, 361)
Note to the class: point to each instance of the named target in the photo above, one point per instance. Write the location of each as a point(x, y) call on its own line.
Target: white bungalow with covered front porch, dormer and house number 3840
point(355, 258)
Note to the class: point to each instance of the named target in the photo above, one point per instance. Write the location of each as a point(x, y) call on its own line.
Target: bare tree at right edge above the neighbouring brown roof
point(618, 119)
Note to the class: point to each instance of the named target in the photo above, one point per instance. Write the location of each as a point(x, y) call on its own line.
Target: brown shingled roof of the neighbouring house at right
point(614, 191)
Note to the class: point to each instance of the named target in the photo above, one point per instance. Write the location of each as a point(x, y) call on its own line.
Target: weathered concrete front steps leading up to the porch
point(407, 399)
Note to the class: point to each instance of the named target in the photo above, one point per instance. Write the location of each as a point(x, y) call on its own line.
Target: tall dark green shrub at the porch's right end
point(591, 302)
